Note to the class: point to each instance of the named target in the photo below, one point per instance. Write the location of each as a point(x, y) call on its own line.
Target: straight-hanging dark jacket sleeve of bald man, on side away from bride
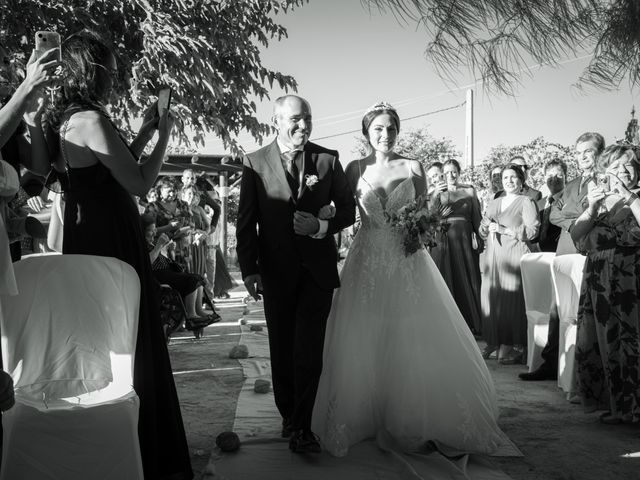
point(246, 227)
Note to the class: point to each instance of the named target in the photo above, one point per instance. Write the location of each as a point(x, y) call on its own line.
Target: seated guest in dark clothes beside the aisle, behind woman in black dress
point(189, 285)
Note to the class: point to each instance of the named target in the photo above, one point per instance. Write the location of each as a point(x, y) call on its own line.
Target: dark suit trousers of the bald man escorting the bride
point(296, 310)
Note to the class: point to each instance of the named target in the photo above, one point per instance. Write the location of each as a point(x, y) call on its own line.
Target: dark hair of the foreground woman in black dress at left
point(85, 82)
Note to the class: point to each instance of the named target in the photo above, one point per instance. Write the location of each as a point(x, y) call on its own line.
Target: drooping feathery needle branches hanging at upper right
point(497, 40)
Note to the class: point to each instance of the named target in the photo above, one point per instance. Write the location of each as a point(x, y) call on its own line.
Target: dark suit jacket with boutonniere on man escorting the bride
point(266, 242)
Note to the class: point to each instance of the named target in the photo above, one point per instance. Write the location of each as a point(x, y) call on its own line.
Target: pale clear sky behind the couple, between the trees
point(345, 58)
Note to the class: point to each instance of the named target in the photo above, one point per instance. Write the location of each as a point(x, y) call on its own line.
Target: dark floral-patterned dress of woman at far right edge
point(608, 333)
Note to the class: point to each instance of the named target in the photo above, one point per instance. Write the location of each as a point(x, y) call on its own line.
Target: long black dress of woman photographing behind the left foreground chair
point(101, 218)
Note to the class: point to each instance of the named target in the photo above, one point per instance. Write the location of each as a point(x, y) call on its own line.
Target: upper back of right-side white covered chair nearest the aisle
point(537, 285)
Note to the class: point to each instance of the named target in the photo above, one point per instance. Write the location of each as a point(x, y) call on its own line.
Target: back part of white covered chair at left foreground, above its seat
point(69, 336)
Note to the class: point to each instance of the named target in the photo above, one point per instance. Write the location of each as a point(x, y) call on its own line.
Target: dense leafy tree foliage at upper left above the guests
point(208, 51)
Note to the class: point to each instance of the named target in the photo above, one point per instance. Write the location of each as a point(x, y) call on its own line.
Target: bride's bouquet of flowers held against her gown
point(419, 224)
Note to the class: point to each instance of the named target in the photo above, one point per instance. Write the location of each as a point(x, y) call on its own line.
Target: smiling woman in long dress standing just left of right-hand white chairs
point(509, 225)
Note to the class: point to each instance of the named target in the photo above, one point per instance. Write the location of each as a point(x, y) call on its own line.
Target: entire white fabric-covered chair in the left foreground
point(68, 341)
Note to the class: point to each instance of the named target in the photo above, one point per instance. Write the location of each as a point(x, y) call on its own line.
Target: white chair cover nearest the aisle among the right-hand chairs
point(537, 287)
